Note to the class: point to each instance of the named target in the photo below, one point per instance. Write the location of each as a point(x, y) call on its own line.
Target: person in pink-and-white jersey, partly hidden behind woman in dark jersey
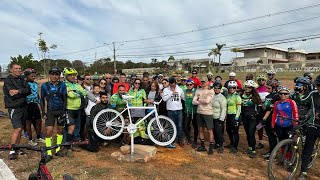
point(263, 92)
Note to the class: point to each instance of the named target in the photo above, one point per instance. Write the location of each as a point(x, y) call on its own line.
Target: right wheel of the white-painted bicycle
point(169, 125)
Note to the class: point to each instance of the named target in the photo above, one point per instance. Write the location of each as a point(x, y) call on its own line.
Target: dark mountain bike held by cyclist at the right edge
point(285, 159)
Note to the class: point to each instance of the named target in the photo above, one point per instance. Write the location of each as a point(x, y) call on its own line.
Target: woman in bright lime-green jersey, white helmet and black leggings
point(233, 114)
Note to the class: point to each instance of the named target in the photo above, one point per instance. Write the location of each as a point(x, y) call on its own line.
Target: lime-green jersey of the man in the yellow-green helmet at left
point(74, 93)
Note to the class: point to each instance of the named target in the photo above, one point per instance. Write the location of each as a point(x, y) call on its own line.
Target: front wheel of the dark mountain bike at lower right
point(284, 160)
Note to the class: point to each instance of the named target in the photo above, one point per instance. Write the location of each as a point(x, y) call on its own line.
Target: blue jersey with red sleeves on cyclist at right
point(285, 113)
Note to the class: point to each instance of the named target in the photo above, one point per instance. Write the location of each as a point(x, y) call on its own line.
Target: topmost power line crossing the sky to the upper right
point(221, 25)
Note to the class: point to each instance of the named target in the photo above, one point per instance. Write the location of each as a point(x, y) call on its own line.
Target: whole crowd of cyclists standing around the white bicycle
point(71, 102)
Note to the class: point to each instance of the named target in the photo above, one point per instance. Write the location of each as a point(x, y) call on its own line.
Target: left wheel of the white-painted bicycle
point(108, 124)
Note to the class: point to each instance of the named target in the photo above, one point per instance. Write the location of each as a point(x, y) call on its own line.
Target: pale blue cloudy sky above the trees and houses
point(145, 29)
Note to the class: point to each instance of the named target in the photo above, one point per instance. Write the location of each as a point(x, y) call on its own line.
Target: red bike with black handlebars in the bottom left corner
point(42, 172)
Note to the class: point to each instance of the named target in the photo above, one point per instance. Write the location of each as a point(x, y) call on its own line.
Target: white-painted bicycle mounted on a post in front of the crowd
point(108, 124)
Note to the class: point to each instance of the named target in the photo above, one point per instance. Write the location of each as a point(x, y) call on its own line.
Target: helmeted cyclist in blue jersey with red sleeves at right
point(284, 115)
